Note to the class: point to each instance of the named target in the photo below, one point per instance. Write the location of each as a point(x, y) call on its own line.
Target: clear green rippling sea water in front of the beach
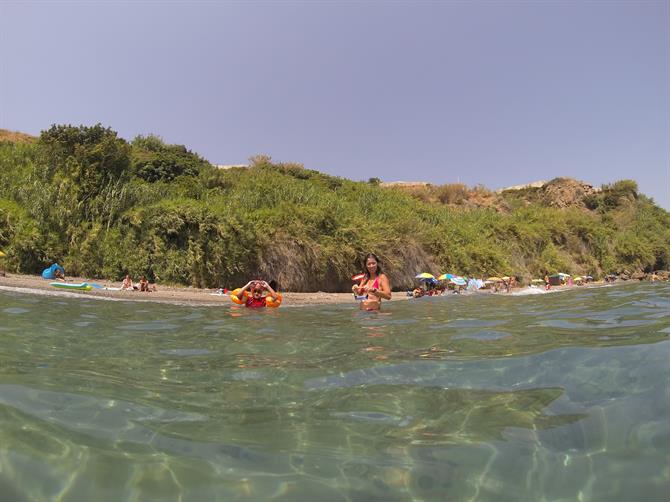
point(561, 396)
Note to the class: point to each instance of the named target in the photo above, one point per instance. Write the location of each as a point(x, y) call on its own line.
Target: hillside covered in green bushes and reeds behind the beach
point(101, 206)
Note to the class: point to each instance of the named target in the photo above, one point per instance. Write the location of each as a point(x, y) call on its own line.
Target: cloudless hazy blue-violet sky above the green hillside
point(485, 92)
